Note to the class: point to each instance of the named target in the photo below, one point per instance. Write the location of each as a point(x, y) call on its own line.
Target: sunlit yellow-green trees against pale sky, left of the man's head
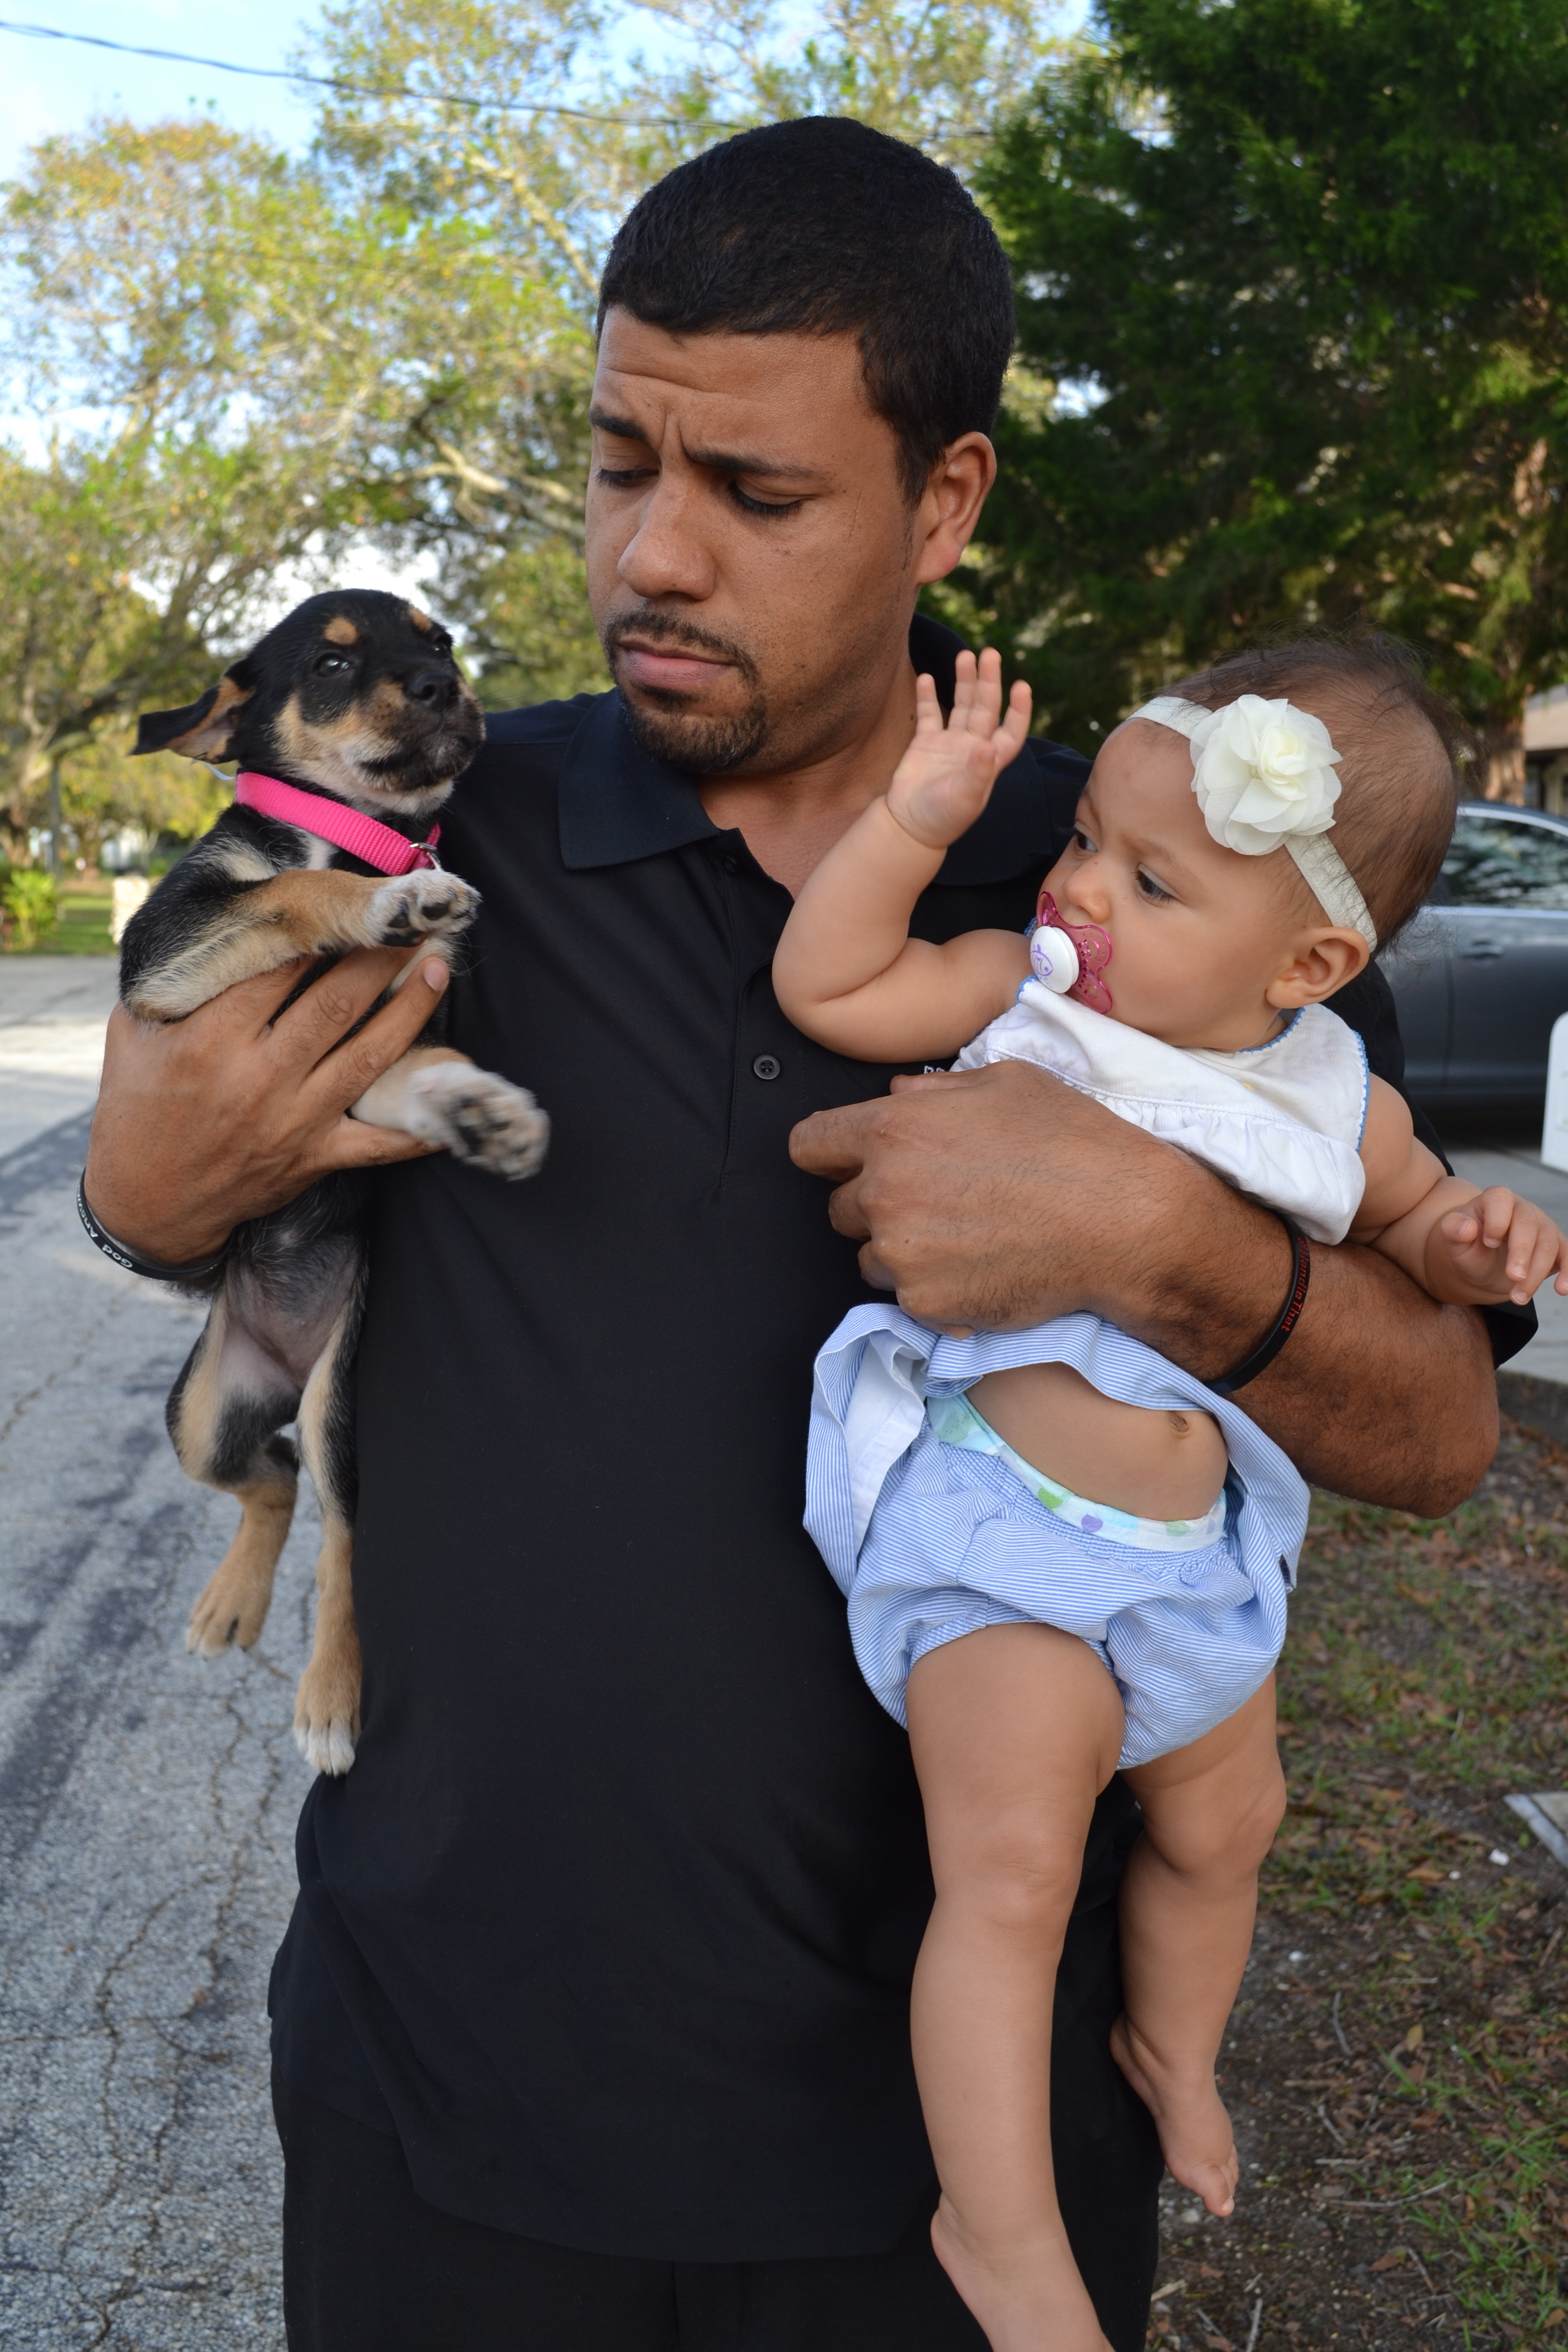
point(243, 366)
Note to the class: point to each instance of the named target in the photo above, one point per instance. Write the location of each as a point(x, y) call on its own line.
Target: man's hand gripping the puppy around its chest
point(232, 1114)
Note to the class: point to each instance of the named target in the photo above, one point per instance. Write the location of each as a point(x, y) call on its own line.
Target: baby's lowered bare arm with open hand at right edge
point(1463, 1245)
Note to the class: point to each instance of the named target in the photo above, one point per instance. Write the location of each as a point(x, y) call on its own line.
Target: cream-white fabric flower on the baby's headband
point(1264, 773)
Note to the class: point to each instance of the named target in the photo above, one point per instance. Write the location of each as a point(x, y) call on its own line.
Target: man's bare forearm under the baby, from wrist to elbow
point(1381, 1394)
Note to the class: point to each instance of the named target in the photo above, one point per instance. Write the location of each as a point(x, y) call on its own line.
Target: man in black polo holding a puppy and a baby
point(591, 2029)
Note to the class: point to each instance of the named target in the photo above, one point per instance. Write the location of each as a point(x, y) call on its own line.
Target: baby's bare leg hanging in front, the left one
point(1014, 1732)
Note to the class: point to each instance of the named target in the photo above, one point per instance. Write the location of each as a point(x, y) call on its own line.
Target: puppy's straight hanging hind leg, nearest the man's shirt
point(328, 1702)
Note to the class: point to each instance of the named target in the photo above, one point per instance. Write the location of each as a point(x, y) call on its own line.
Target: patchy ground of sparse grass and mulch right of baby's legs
point(1398, 2064)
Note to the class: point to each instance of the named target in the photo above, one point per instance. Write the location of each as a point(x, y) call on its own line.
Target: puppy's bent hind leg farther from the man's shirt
point(225, 1417)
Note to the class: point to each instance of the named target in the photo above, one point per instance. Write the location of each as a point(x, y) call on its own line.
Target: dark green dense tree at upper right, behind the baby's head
point(1294, 281)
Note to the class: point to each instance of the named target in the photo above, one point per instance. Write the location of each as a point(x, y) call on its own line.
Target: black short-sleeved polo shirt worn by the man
point(615, 1916)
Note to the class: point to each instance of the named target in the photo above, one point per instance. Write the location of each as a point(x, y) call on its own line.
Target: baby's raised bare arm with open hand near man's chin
point(847, 970)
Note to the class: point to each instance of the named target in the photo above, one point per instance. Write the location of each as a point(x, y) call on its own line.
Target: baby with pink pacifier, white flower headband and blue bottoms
point(1061, 1553)
